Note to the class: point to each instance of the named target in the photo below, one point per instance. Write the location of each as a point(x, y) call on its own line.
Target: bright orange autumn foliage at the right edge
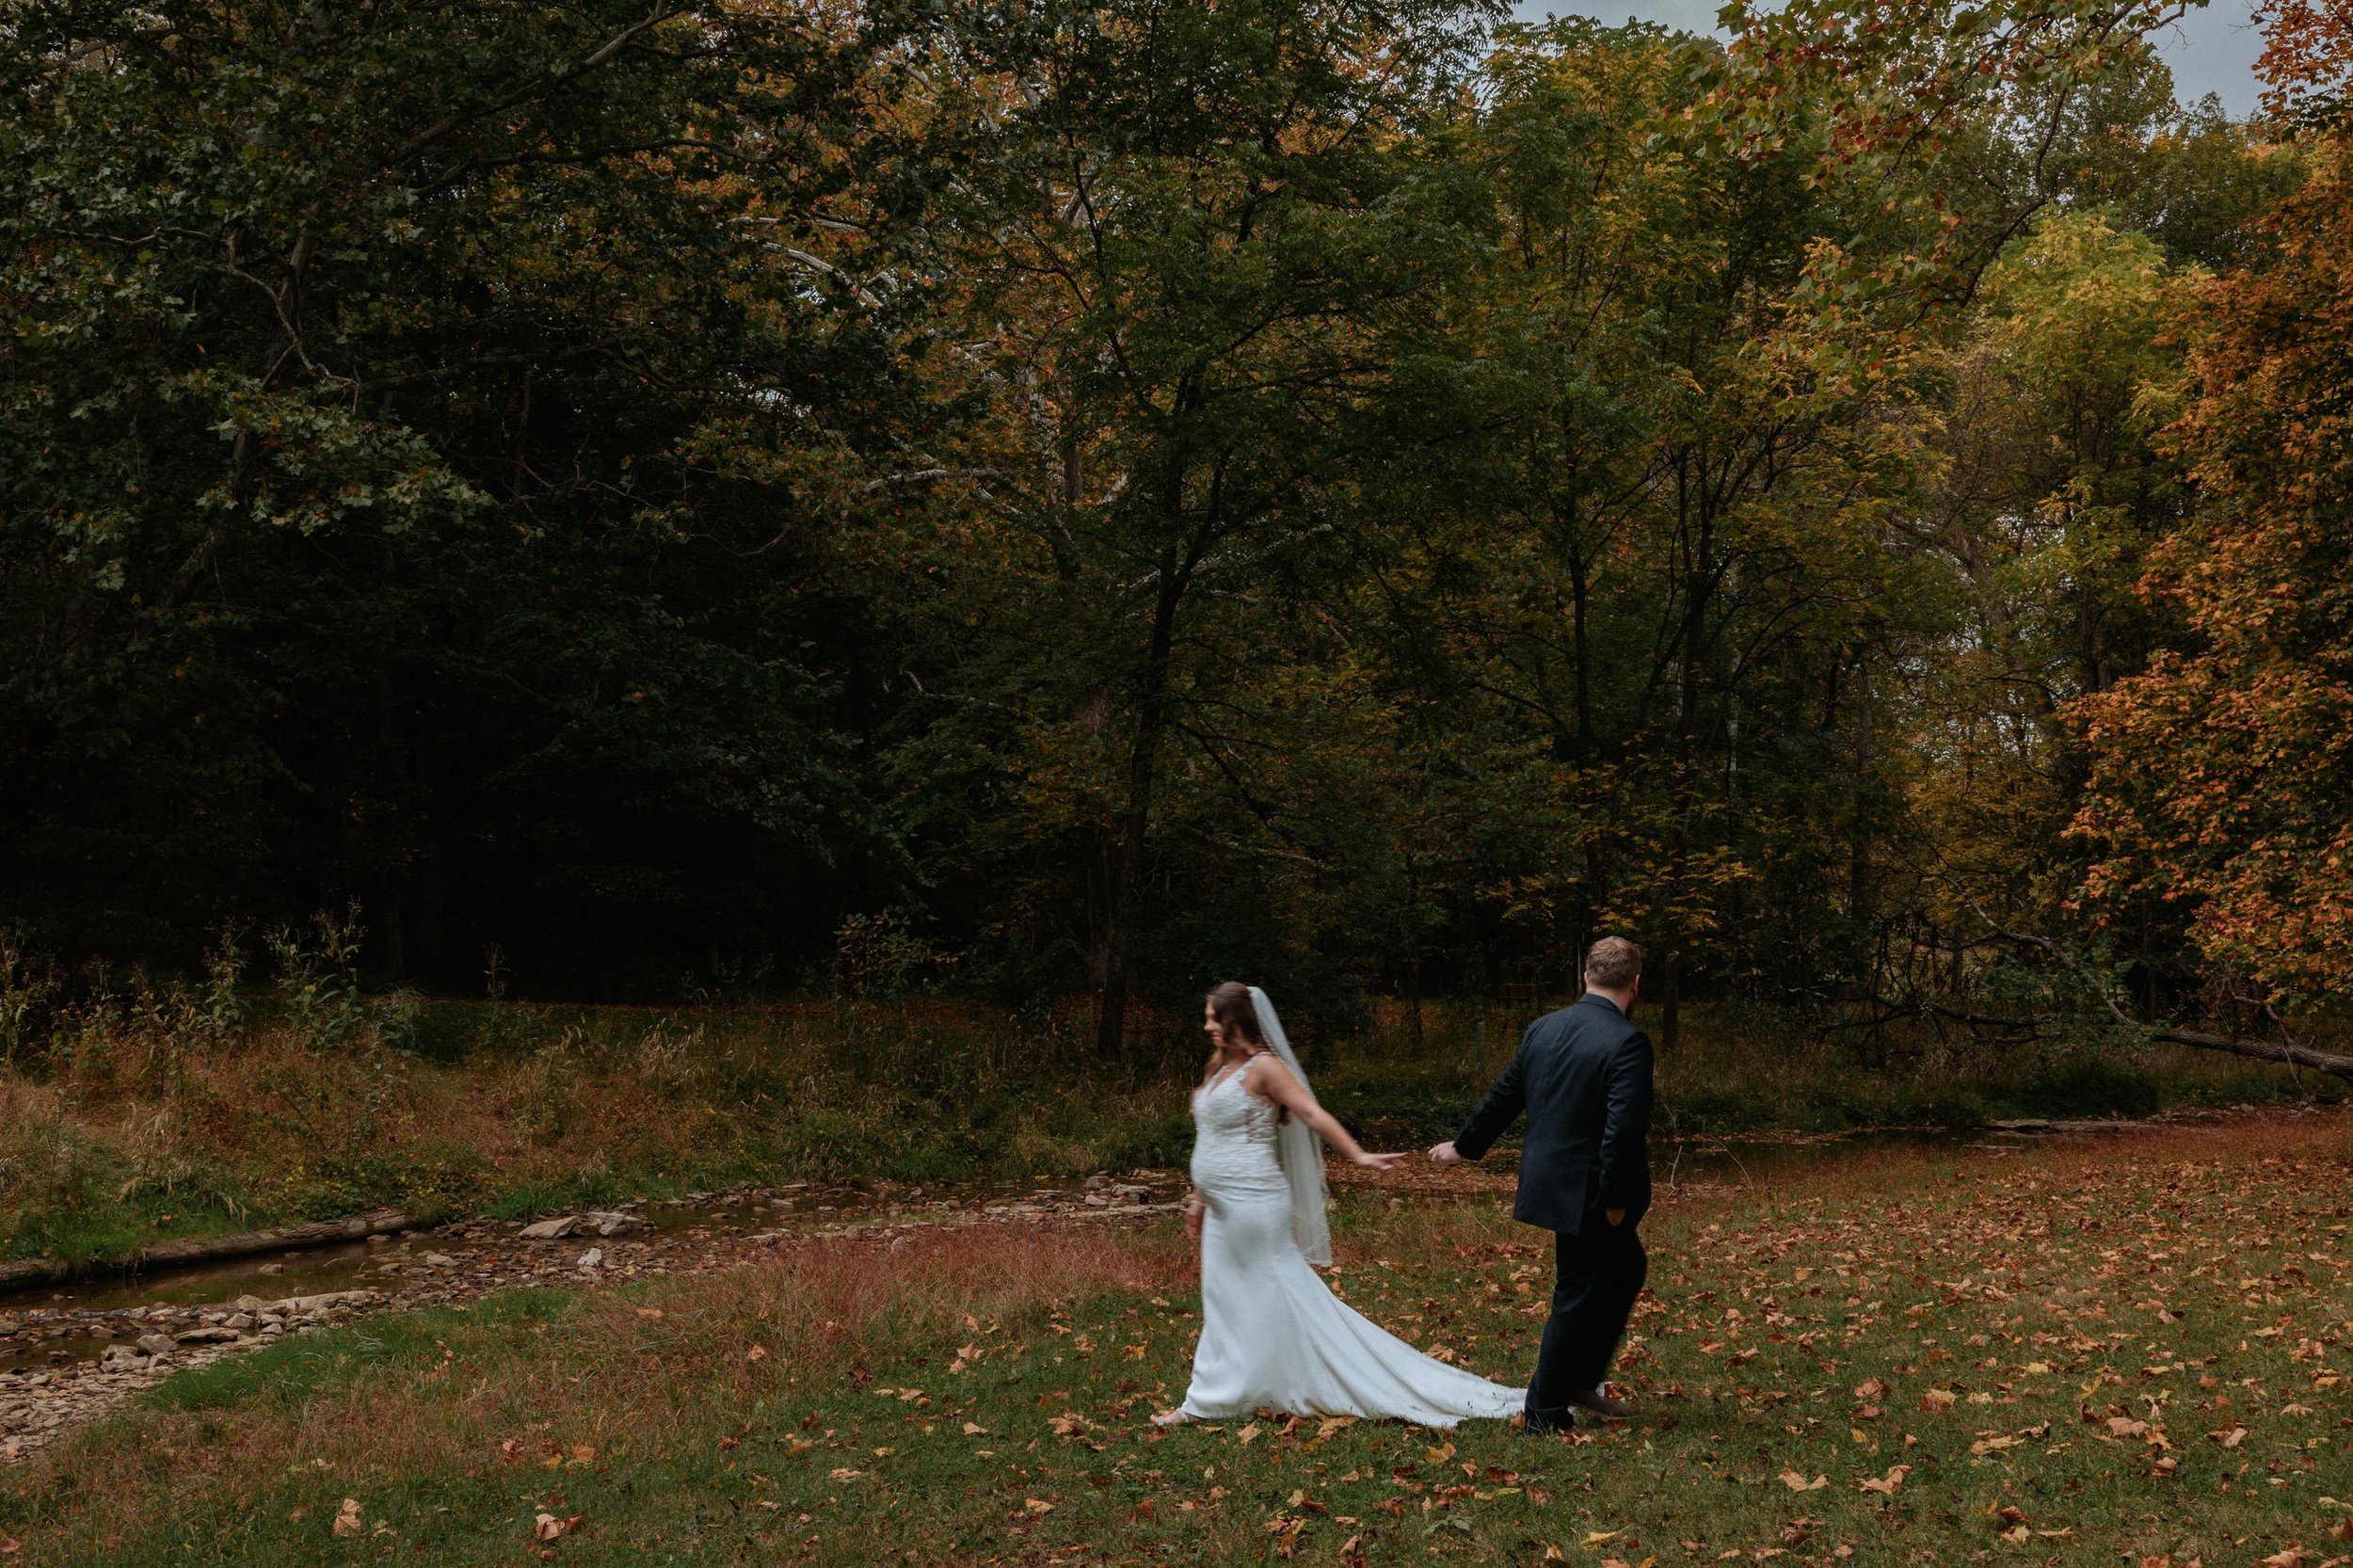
point(2222, 778)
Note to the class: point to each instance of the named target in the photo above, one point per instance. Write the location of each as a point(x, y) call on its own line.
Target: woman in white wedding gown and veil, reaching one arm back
point(1272, 1334)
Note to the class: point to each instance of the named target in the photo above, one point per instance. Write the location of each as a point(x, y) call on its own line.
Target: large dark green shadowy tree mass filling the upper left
point(418, 449)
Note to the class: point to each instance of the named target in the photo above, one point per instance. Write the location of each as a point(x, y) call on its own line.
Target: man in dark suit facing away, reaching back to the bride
point(1582, 1077)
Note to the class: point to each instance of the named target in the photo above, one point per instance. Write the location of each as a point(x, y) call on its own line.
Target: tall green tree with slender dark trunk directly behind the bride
point(1178, 241)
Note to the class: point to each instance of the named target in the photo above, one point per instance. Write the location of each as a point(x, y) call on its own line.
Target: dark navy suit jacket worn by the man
point(1582, 1077)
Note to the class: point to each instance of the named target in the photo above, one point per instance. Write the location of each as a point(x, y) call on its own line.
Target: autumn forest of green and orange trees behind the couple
point(761, 503)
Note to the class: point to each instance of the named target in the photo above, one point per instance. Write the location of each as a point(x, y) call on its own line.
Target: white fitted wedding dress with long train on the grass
point(1272, 1334)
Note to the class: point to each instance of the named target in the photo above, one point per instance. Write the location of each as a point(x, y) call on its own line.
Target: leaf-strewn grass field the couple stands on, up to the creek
point(2124, 1350)
